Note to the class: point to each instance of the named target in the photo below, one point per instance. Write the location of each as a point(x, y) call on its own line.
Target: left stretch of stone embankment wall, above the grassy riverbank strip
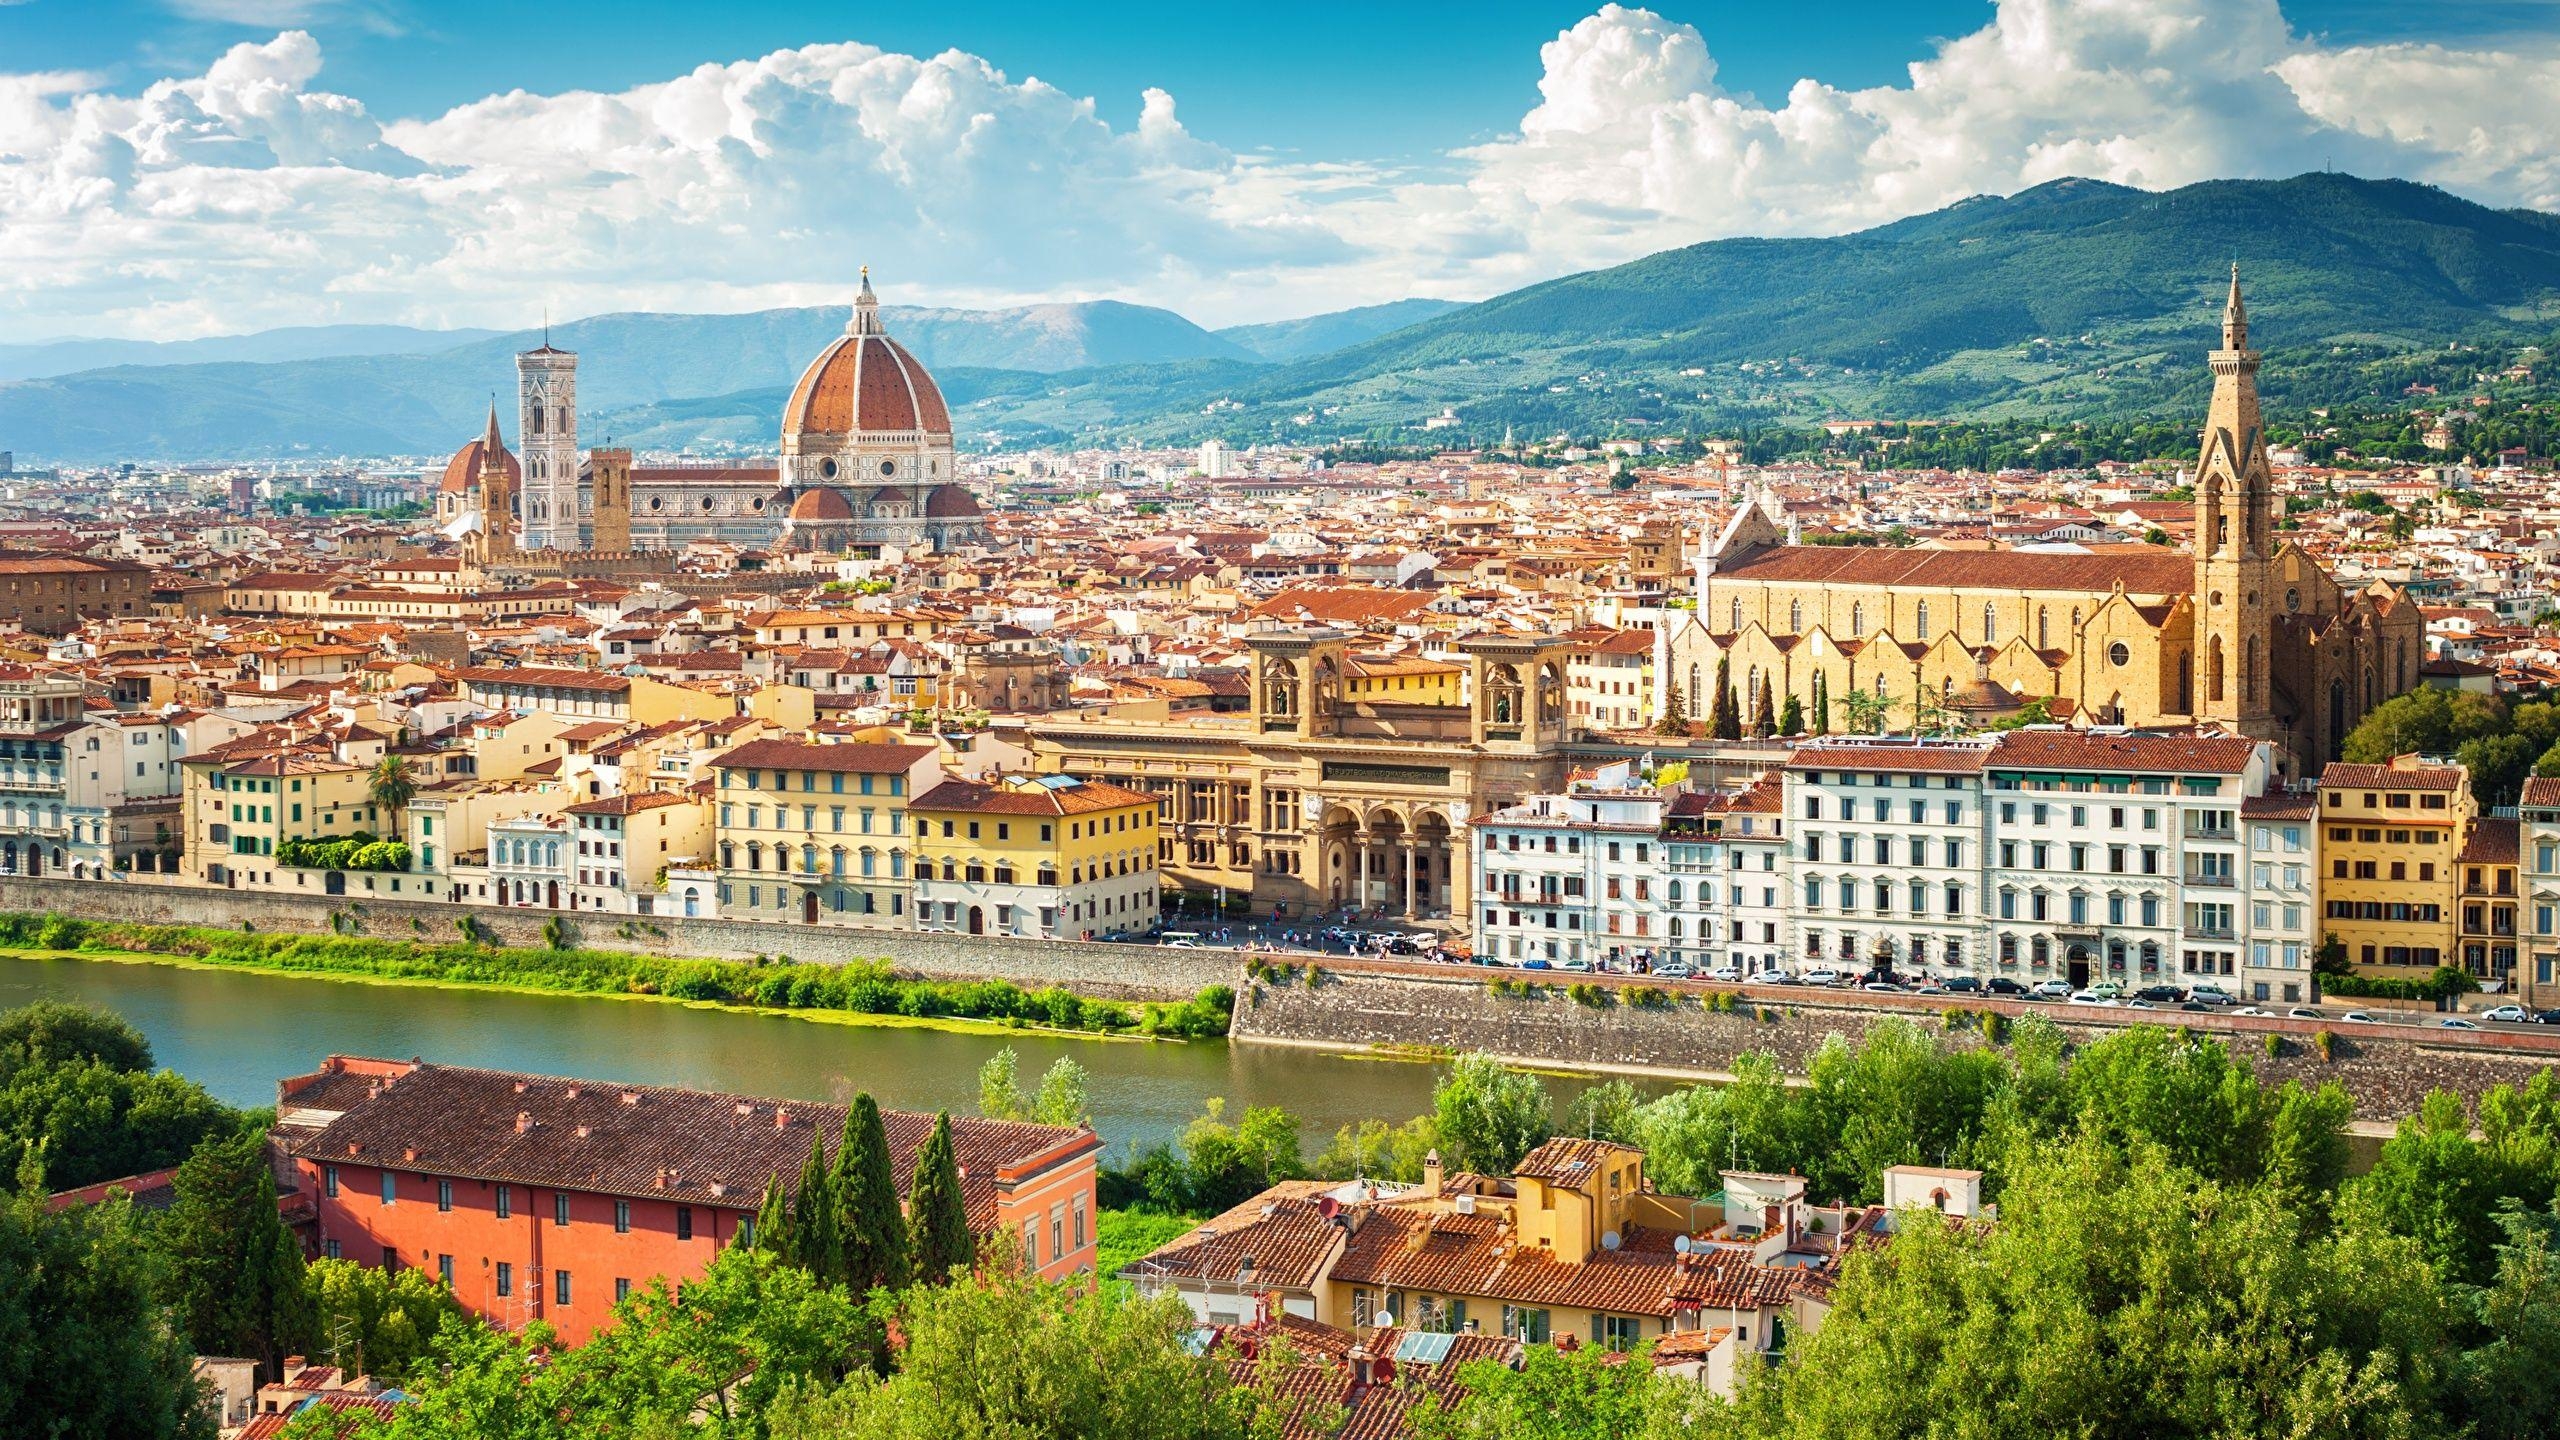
point(1115, 972)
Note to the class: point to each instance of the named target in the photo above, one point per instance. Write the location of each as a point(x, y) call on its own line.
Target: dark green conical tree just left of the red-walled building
point(229, 1267)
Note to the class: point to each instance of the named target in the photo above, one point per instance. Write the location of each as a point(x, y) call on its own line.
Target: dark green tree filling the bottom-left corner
point(86, 1349)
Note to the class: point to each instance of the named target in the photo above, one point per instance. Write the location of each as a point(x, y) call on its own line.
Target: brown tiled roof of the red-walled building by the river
point(639, 1141)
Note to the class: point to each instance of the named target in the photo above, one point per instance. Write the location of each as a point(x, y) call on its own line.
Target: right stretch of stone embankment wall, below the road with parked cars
point(2385, 1067)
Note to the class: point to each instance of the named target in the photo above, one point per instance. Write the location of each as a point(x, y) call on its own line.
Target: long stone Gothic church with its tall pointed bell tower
point(2246, 634)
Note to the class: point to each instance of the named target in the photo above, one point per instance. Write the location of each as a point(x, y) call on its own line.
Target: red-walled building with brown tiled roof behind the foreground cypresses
point(544, 1198)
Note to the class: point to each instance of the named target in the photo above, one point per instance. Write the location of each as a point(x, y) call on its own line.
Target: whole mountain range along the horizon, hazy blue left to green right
point(2070, 301)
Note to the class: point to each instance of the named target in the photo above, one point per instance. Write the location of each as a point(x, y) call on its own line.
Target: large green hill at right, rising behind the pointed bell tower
point(2072, 293)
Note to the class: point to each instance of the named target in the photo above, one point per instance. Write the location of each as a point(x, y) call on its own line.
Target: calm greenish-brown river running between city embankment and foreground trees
point(237, 1034)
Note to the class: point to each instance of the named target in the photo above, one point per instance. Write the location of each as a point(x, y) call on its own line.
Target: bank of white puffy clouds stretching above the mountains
point(255, 196)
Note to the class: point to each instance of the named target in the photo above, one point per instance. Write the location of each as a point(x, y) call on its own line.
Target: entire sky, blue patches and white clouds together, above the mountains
point(178, 168)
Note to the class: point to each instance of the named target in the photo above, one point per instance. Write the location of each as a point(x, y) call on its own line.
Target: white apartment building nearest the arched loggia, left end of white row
point(1576, 878)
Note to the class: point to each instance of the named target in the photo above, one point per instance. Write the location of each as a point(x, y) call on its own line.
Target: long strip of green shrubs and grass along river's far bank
point(772, 985)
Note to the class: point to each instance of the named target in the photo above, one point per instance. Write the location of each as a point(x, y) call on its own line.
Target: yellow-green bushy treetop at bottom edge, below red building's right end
point(1002, 1357)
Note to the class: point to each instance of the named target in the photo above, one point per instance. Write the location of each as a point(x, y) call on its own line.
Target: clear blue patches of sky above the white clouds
point(1320, 78)
